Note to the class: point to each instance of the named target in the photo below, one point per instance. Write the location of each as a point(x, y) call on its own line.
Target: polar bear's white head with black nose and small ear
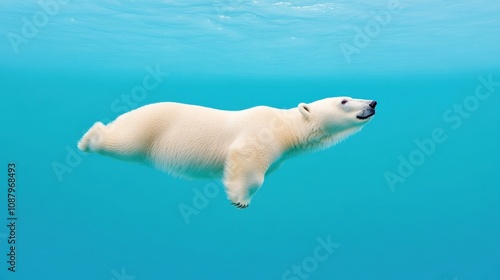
point(334, 119)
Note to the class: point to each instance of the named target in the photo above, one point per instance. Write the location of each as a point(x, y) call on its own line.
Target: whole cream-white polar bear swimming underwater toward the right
point(239, 147)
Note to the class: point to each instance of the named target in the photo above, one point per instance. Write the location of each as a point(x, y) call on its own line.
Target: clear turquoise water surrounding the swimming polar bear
point(415, 195)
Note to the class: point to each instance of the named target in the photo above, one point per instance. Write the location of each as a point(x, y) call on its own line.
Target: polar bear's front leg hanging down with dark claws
point(243, 176)
